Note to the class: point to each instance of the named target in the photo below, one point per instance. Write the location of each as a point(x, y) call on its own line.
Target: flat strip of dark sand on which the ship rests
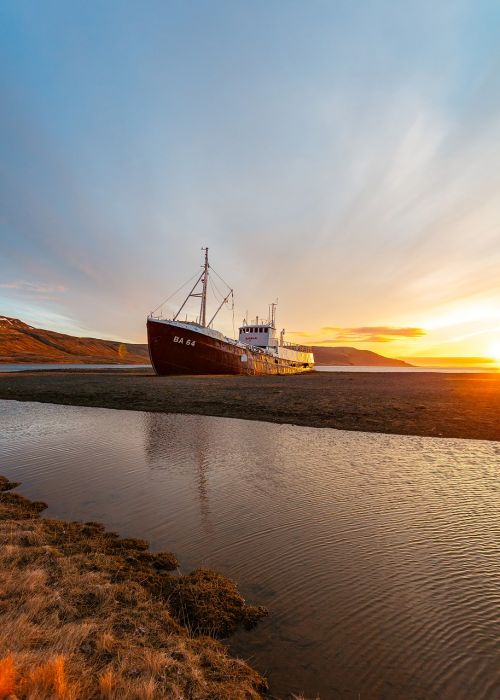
point(431, 404)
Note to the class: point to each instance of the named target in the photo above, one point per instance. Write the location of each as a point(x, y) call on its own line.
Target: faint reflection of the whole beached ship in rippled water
point(202, 458)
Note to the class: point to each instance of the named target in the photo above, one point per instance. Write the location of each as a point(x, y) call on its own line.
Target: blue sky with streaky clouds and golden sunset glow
point(343, 157)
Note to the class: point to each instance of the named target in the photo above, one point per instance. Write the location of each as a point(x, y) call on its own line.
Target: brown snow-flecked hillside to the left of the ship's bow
point(20, 342)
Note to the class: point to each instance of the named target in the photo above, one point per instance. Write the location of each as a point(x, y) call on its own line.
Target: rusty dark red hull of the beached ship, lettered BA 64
point(184, 348)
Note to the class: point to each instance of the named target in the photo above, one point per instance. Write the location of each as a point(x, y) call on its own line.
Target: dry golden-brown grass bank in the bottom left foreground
point(85, 614)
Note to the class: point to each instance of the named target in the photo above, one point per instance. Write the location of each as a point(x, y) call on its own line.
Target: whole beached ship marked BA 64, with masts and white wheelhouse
point(194, 347)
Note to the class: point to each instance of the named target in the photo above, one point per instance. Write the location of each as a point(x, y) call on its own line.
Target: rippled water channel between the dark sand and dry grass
point(377, 555)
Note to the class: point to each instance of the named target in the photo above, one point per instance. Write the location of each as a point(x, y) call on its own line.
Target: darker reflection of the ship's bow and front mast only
point(174, 447)
